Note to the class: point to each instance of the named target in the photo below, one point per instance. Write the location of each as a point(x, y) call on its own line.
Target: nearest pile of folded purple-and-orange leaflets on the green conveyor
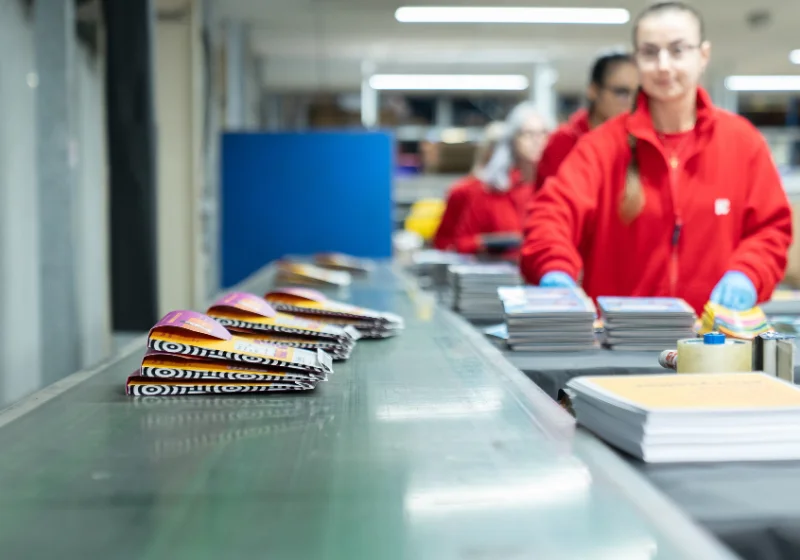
point(192, 354)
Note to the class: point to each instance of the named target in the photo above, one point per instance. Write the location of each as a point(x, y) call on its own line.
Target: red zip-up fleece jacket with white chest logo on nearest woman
point(722, 209)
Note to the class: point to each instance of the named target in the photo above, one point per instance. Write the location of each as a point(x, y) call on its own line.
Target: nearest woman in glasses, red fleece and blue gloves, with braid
point(678, 198)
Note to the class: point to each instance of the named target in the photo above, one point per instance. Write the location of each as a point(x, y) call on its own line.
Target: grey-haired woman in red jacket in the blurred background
point(493, 217)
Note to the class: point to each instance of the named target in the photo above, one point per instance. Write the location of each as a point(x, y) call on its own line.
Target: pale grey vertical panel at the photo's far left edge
point(20, 293)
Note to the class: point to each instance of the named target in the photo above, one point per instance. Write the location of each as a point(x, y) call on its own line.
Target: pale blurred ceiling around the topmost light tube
point(321, 44)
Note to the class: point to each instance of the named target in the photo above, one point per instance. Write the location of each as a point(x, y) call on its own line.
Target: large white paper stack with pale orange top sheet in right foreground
point(672, 418)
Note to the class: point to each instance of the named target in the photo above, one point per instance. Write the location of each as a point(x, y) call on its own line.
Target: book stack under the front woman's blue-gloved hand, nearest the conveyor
point(548, 319)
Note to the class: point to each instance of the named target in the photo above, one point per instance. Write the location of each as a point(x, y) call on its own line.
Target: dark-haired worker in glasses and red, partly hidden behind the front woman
point(612, 87)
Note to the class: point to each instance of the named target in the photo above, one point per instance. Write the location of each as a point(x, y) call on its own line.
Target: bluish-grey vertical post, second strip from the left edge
point(54, 33)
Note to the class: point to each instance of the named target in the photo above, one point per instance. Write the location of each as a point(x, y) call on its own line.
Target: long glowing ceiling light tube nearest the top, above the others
point(453, 14)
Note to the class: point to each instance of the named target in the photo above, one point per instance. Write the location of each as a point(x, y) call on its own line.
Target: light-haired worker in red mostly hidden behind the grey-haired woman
point(459, 194)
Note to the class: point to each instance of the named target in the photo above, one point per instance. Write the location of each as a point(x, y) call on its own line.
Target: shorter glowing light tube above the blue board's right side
point(428, 82)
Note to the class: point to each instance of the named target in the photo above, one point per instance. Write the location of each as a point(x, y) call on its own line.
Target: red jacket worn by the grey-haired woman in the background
point(492, 211)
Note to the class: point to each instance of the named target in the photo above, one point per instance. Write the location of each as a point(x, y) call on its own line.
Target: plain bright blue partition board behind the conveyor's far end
point(303, 193)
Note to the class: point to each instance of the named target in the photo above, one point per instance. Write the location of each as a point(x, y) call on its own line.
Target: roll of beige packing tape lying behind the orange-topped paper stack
point(696, 357)
